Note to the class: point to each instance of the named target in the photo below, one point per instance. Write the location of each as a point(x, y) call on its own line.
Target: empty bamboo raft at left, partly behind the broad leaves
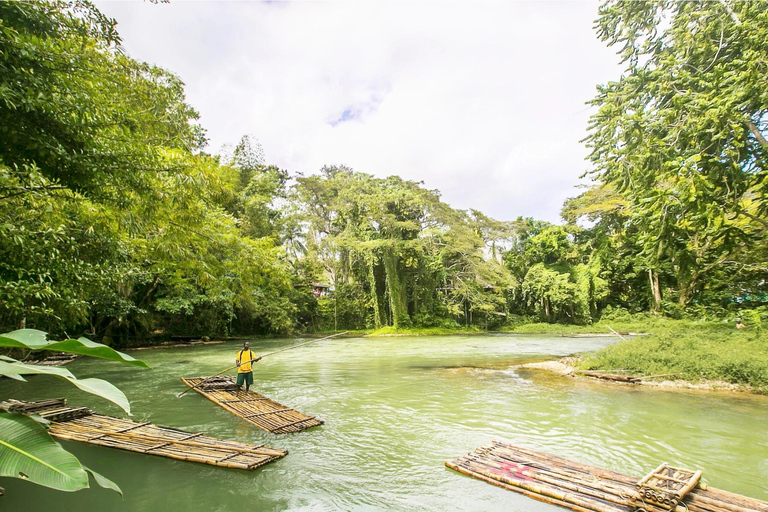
point(82, 424)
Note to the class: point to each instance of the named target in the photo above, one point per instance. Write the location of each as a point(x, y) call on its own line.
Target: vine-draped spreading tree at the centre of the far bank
point(418, 261)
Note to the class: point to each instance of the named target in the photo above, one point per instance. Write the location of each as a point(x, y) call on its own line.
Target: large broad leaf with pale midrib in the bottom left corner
point(28, 452)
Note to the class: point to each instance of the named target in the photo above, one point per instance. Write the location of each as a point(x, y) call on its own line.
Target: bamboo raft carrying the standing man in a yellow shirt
point(252, 407)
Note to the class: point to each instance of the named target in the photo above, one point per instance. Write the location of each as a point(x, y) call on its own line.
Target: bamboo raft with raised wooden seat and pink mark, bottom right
point(584, 488)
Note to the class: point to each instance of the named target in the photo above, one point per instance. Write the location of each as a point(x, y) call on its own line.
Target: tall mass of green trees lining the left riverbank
point(109, 222)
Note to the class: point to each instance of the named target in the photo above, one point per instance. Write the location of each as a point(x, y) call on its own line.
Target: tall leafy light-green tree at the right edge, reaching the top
point(682, 134)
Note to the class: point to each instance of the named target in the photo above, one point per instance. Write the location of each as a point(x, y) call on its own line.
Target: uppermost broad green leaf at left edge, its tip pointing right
point(38, 340)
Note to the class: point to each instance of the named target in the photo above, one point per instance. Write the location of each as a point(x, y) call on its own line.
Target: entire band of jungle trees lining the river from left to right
point(116, 224)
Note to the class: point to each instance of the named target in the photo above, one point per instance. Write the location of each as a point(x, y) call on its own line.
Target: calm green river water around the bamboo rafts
point(395, 410)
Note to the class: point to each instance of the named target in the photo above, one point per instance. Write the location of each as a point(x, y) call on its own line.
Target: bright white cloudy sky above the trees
point(484, 101)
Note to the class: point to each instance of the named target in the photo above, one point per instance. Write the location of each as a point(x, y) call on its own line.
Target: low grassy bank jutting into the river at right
point(691, 351)
